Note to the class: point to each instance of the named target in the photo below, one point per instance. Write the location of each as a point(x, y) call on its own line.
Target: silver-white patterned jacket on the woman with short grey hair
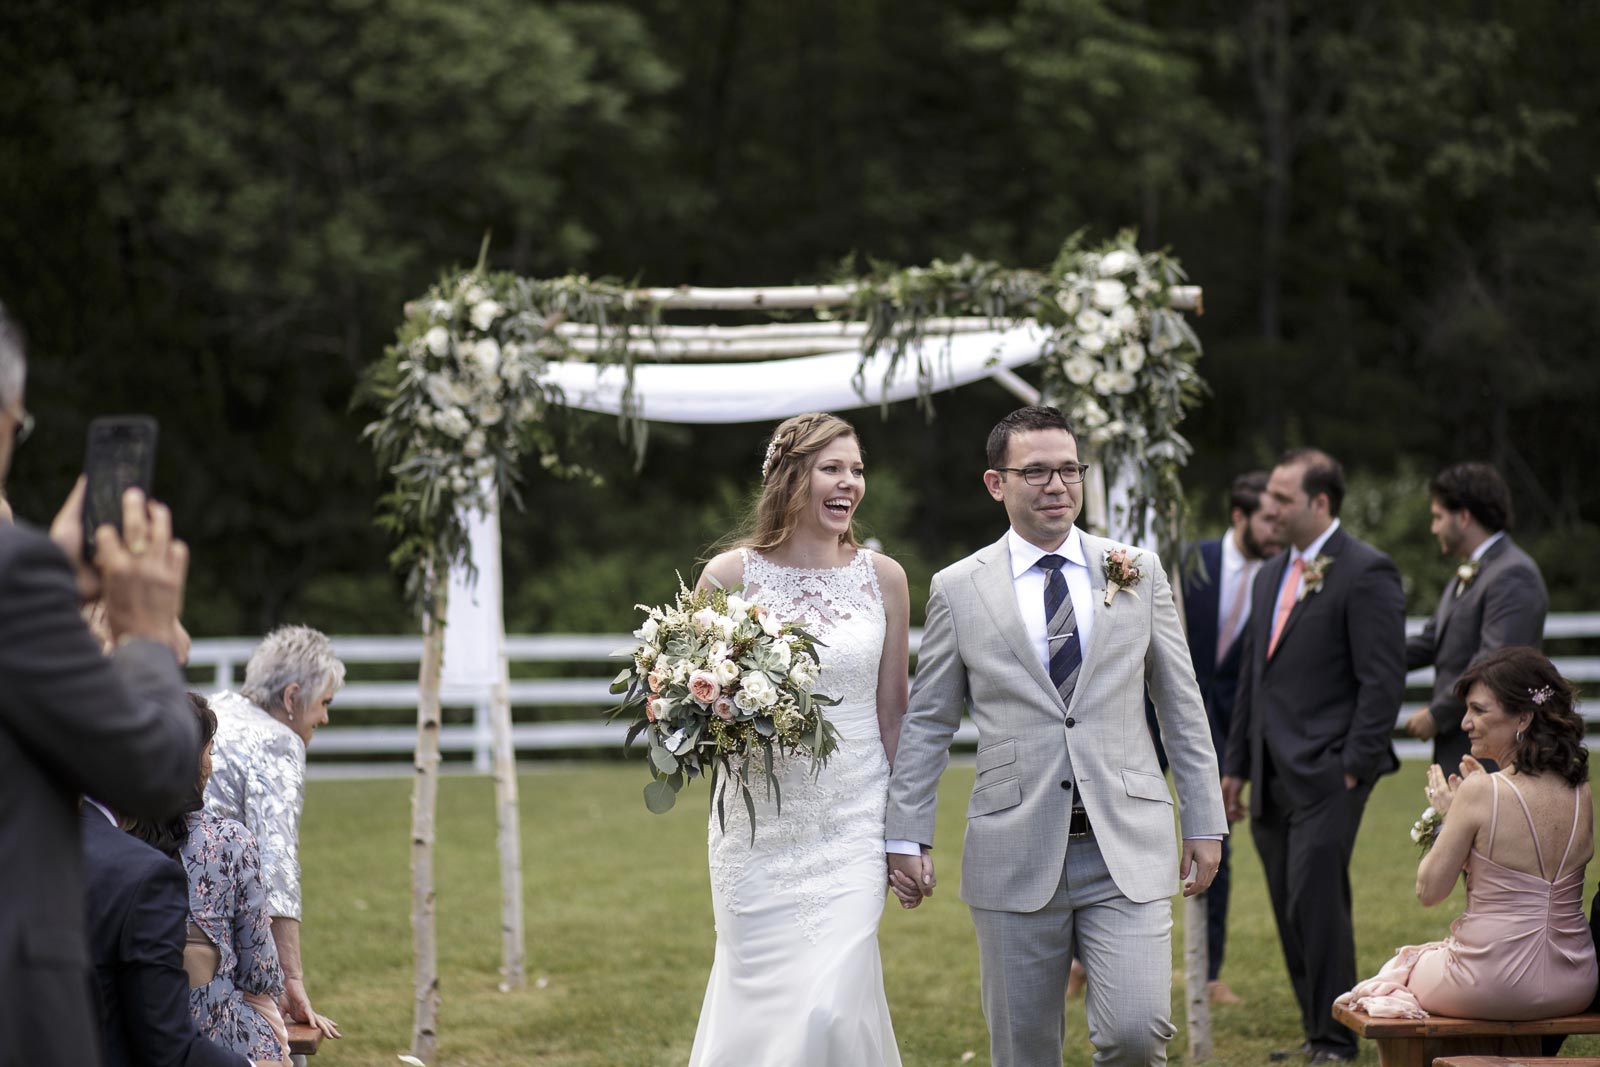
point(258, 778)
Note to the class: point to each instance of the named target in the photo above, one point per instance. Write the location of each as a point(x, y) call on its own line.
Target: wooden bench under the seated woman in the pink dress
point(1418, 1042)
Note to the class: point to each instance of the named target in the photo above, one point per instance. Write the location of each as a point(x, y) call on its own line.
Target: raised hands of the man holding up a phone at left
point(138, 577)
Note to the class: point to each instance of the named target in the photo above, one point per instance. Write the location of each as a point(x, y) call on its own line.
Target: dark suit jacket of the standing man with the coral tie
point(1324, 705)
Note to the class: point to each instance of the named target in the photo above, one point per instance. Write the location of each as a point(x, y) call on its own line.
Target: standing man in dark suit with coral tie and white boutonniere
point(1324, 671)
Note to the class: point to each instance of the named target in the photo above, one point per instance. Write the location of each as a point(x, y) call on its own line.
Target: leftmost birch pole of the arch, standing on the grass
point(425, 805)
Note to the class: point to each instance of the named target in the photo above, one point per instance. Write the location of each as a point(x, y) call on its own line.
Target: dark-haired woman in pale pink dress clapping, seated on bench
point(1524, 836)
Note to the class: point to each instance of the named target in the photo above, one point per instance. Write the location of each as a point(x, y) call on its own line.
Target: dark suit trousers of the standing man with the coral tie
point(1306, 853)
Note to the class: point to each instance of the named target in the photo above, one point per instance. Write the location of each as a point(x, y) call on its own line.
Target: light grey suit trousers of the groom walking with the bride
point(1126, 951)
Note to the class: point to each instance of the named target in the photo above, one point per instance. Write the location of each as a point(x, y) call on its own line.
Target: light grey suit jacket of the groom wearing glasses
point(1036, 754)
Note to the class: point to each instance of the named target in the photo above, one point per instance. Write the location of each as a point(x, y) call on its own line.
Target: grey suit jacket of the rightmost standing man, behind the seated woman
point(1505, 605)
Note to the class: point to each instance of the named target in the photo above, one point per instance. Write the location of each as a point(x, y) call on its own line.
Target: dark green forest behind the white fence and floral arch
point(214, 212)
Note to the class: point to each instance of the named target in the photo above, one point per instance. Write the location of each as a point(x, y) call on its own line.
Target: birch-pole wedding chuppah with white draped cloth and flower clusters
point(482, 358)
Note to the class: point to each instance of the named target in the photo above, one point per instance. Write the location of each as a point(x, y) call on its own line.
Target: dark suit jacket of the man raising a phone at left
point(71, 721)
